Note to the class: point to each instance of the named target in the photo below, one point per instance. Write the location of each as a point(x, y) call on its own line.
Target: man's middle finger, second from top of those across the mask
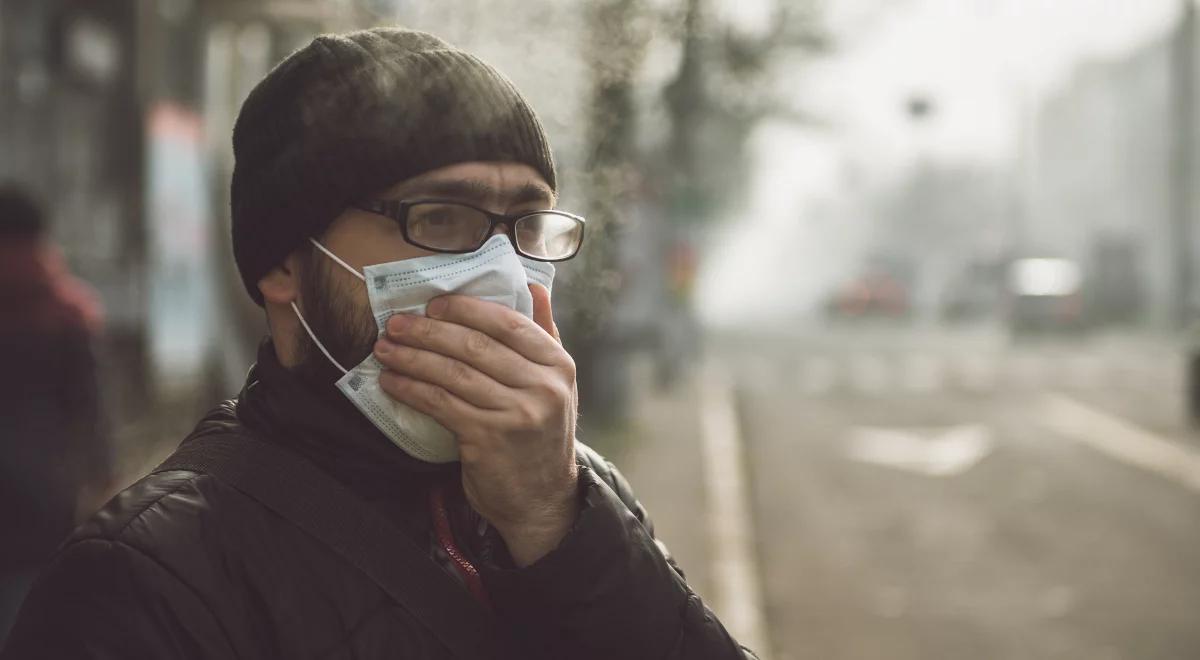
point(463, 344)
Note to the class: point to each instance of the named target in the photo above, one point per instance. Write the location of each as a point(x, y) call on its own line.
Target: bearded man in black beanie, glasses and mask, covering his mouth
point(375, 171)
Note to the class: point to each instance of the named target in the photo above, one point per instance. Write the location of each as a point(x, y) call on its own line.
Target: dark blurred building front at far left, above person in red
point(71, 131)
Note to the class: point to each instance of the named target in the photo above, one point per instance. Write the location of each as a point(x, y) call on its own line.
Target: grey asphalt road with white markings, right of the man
point(950, 496)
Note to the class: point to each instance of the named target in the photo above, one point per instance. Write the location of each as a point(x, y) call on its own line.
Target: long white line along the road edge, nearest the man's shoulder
point(736, 575)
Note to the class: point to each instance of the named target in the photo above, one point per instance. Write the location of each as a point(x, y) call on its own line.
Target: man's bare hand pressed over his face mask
point(506, 387)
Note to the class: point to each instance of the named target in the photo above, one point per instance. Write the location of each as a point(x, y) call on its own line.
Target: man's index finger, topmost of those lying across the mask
point(506, 326)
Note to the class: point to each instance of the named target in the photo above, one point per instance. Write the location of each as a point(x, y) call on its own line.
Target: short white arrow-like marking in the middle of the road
point(928, 452)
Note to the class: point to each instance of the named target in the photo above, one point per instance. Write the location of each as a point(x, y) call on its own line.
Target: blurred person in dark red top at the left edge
point(55, 458)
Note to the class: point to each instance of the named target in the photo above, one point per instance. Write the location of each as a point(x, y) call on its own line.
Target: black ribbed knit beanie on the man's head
point(352, 115)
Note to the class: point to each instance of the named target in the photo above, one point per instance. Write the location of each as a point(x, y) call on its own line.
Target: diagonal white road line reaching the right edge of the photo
point(1121, 440)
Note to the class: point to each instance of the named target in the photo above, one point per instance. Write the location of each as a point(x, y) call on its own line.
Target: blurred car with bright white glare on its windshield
point(1046, 296)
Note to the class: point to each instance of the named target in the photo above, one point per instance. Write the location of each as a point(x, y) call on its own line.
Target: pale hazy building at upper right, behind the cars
point(1109, 178)
